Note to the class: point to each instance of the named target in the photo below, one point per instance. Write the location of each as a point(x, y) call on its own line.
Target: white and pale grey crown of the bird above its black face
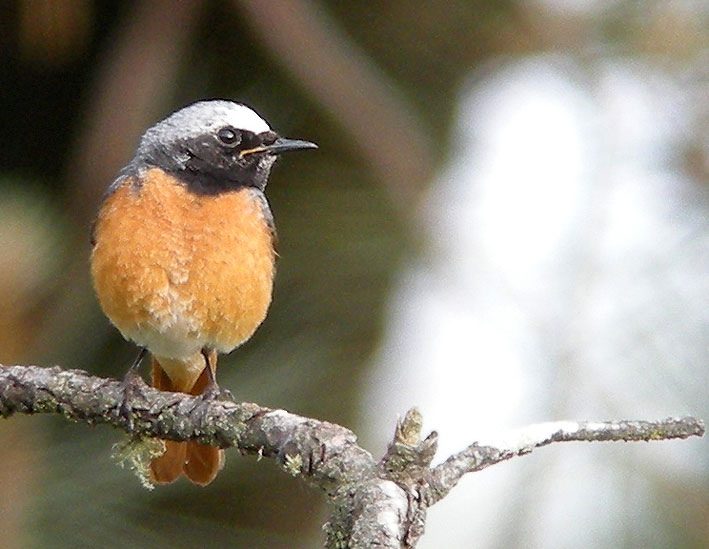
point(203, 118)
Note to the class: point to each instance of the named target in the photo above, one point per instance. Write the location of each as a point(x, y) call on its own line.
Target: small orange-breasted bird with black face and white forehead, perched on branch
point(183, 257)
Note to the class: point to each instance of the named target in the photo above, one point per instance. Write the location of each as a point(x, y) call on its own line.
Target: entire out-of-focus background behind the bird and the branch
point(506, 223)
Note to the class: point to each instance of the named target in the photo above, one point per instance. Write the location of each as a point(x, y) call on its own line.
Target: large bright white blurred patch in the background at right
point(566, 279)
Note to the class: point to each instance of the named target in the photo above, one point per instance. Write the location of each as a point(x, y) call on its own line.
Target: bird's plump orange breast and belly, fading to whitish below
point(177, 271)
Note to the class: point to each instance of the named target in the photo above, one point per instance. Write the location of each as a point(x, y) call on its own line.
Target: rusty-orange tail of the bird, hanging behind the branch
point(200, 463)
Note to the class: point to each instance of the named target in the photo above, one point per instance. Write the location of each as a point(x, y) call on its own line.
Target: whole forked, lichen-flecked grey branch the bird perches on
point(374, 504)
